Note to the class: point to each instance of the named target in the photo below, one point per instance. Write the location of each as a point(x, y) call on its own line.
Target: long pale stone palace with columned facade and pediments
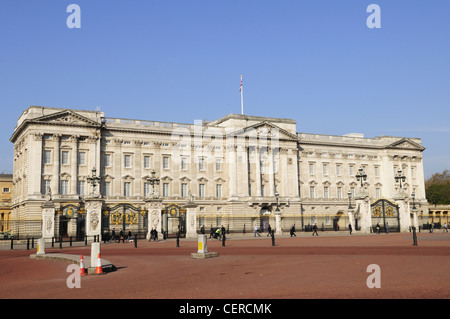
point(80, 173)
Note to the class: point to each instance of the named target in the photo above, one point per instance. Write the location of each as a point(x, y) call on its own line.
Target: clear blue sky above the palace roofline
point(315, 61)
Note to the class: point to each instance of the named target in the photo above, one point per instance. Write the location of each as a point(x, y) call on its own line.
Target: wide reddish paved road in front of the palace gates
point(303, 267)
